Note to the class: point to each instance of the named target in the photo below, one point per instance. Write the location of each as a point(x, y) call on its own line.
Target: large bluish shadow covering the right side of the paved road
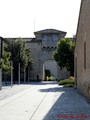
point(69, 105)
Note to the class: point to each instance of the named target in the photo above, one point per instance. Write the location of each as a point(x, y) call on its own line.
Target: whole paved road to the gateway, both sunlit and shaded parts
point(45, 101)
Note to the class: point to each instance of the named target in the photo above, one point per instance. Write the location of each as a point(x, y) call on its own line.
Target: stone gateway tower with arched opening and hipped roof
point(42, 48)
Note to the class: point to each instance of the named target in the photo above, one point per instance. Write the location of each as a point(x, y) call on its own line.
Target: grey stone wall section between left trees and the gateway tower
point(36, 55)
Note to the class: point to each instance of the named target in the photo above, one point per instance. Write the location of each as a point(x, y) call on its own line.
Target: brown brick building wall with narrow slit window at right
point(82, 50)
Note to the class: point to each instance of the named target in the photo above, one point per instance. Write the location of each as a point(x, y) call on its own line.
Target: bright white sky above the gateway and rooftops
point(20, 18)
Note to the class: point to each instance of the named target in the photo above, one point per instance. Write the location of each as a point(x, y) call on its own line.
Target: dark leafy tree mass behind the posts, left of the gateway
point(19, 54)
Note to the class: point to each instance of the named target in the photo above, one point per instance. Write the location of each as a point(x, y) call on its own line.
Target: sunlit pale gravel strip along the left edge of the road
point(8, 91)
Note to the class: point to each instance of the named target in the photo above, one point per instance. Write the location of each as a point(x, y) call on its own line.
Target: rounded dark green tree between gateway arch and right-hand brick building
point(64, 54)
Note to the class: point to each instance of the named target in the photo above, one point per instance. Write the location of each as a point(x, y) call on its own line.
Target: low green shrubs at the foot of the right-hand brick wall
point(67, 82)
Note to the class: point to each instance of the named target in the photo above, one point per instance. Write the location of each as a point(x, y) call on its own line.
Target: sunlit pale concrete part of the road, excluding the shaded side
point(24, 105)
